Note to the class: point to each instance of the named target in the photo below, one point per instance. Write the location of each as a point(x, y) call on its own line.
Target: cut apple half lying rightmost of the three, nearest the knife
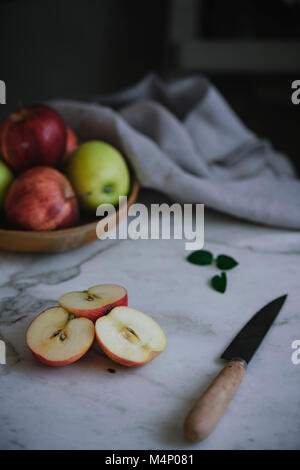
point(130, 337)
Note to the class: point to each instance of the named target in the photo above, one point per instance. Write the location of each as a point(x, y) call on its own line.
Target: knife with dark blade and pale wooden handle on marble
point(209, 409)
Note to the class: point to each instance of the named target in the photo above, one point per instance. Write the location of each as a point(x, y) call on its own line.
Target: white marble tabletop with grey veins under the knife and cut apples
point(83, 406)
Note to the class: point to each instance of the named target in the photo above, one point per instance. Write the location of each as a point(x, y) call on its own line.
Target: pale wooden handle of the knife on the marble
point(210, 407)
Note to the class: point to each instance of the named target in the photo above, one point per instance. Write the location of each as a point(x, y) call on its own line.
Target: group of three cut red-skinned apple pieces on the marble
point(63, 334)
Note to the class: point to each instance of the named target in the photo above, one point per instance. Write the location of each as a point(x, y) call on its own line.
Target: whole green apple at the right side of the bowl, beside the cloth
point(99, 173)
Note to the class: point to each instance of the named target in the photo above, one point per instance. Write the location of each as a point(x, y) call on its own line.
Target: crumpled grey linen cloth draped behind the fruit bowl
point(184, 140)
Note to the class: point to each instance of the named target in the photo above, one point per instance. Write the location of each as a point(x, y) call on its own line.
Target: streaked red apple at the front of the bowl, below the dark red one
point(41, 199)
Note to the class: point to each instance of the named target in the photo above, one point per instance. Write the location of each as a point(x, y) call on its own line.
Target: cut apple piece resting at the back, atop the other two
point(95, 302)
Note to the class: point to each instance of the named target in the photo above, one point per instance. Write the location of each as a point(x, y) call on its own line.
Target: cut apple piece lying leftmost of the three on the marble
point(57, 338)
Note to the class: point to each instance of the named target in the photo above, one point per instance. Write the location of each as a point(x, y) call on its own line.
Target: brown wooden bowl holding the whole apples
point(60, 240)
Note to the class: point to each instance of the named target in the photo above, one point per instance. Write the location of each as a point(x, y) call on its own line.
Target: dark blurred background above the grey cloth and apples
point(250, 49)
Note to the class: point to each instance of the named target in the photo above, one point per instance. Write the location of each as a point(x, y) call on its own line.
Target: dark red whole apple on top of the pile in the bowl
point(33, 136)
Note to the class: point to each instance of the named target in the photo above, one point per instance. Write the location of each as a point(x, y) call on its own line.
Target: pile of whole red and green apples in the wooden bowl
point(45, 177)
